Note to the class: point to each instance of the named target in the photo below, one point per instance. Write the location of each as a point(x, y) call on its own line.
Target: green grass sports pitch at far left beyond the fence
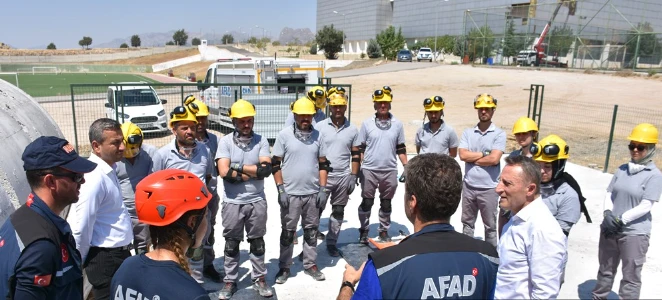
point(42, 85)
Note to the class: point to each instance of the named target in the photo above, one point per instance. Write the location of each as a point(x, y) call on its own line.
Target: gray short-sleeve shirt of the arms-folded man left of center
point(247, 191)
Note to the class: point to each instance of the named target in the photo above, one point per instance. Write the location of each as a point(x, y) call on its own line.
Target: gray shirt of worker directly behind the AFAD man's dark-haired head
point(440, 141)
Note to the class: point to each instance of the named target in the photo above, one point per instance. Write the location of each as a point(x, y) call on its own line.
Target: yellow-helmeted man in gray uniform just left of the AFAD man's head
point(382, 138)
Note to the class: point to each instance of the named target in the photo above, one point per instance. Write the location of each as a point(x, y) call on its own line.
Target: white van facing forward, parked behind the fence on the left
point(139, 104)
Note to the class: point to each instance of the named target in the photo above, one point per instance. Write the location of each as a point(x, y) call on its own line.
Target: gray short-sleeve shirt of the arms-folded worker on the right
point(476, 141)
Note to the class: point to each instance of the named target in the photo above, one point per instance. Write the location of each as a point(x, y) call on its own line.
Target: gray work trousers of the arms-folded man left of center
point(236, 218)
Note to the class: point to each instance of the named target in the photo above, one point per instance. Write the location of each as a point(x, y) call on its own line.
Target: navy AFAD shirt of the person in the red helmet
point(140, 277)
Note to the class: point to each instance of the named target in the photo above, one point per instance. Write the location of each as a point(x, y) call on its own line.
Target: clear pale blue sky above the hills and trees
point(29, 23)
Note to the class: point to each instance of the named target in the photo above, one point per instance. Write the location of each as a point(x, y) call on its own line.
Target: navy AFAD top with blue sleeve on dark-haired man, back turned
point(434, 263)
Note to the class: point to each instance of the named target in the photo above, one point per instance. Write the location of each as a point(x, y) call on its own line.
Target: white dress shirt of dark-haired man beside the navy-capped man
point(101, 219)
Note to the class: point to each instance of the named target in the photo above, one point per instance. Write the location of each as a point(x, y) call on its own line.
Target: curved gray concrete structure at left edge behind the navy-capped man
point(22, 120)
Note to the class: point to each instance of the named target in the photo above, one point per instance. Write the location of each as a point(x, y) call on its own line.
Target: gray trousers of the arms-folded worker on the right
point(486, 201)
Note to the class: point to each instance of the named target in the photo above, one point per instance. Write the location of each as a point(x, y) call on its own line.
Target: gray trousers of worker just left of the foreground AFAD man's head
point(387, 183)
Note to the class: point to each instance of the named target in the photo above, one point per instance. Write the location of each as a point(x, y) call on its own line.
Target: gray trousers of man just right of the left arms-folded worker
point(306, 208)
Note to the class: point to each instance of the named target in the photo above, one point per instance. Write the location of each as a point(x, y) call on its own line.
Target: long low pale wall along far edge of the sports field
point(90, 57)
